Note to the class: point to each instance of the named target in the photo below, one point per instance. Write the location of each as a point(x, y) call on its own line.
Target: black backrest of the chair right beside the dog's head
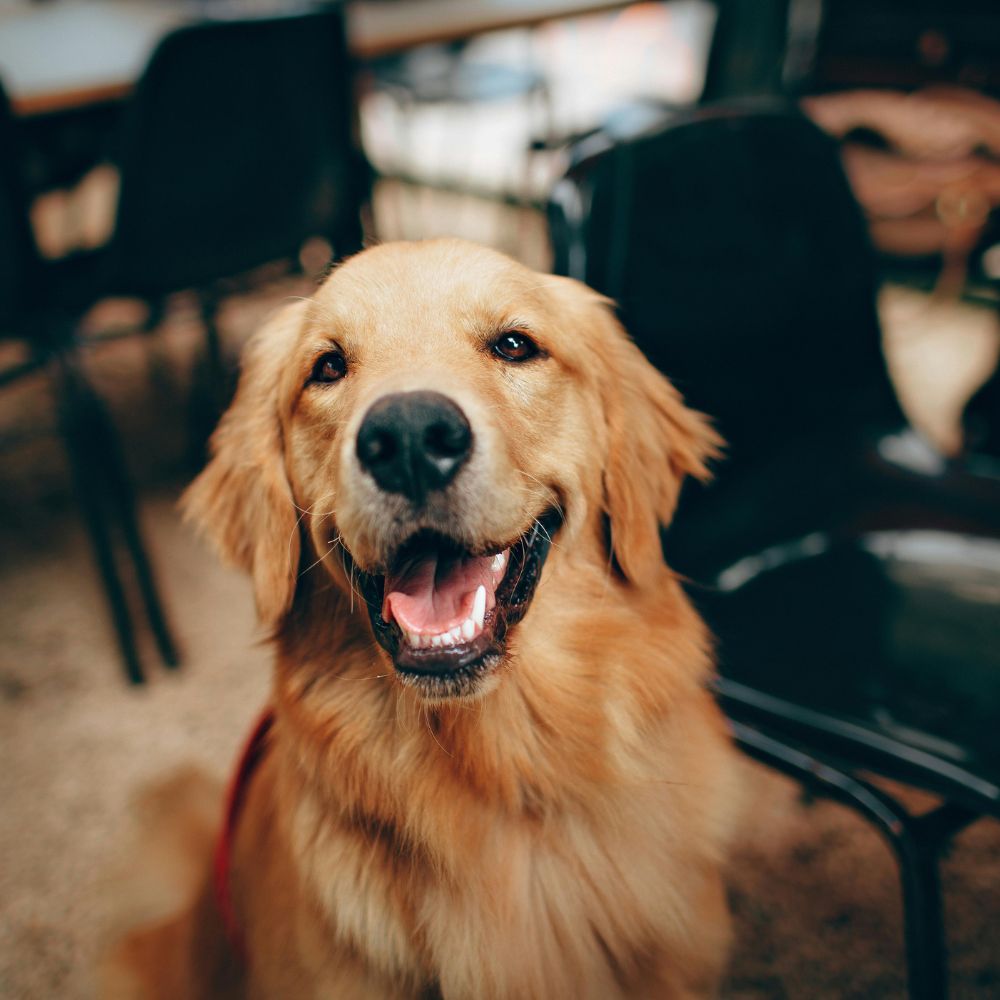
point(742, 268)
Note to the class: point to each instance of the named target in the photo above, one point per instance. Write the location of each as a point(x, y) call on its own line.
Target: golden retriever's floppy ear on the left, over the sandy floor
point(242, 500)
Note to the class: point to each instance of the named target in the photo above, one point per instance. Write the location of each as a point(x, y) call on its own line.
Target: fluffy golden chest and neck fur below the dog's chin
point(562, 838)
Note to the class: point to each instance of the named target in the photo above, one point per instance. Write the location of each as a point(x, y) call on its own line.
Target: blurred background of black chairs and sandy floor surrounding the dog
point(796, 205)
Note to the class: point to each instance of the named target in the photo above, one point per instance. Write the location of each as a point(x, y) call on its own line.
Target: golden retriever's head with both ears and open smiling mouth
point(422, 430)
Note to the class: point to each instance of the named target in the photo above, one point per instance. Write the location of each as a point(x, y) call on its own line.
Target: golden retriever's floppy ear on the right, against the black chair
point(653, 442)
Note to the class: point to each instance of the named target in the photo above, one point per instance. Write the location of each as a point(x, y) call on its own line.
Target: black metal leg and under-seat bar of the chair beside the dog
point(917, 843)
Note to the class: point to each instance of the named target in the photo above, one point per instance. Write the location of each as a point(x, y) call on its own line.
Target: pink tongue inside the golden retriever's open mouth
point(432, 594)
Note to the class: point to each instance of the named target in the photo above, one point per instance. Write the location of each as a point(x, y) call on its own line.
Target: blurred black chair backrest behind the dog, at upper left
point(237, 146)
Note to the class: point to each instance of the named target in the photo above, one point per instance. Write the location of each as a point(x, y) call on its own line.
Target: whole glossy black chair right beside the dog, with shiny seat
point(851, 573)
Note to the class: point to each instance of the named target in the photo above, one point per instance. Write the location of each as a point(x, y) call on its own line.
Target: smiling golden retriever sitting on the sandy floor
point(493, 766)
